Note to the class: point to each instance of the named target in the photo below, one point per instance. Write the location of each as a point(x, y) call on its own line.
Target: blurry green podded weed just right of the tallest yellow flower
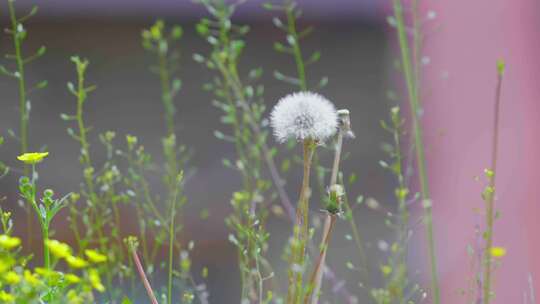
point(100, 188)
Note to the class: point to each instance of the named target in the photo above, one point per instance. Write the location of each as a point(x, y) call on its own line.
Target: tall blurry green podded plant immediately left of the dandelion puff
point(242, 105)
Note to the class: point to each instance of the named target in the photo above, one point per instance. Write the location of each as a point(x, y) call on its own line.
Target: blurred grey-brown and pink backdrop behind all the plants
point(358, 54)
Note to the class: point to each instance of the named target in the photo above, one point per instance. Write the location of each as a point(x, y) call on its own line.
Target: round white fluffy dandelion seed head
point(304, 115)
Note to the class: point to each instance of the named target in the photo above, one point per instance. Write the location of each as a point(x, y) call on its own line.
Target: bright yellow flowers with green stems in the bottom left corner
point(20, 284)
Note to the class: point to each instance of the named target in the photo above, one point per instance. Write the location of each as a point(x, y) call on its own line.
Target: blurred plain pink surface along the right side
point(458, 126)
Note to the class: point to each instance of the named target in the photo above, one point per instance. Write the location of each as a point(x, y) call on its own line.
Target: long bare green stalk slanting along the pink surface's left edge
point(418, 141)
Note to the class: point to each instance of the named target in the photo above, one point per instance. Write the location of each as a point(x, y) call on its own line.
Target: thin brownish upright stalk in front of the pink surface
point(490, 201)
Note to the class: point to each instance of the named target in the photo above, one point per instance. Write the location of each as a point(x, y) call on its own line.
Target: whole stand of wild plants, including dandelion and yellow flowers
point(109, 264)
